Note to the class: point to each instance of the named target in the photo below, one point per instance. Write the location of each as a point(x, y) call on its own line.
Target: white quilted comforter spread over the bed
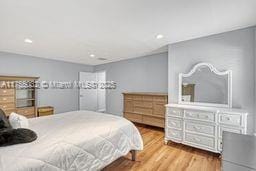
point(79, 140)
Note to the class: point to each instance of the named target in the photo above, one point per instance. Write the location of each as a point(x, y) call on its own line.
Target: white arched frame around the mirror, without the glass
point(217, 72)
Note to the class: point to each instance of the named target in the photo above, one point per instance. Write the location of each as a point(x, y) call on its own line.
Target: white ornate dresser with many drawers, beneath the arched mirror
point(202, 126)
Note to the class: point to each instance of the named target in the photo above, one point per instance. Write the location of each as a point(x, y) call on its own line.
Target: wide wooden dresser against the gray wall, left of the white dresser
point(145, 108)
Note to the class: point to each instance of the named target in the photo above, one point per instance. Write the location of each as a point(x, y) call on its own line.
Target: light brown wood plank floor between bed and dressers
point(157, 156)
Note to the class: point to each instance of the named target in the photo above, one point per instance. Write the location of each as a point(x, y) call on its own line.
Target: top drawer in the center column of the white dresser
point(199, 115)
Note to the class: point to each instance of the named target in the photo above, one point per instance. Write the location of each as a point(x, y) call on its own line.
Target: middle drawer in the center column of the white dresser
point(199, 128)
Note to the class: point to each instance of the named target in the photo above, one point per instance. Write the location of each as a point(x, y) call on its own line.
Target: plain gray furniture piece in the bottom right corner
point(239, 152)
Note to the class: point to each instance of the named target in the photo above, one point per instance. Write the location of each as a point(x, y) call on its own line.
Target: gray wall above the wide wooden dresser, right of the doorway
point(145, 74)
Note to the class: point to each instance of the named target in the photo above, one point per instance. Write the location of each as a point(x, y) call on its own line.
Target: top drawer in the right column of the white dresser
point(229, 119)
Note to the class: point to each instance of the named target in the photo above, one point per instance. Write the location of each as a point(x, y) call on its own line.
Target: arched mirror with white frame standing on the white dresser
point(205, 85)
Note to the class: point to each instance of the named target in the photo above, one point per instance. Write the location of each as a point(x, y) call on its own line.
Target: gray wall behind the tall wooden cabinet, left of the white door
point(48, 70)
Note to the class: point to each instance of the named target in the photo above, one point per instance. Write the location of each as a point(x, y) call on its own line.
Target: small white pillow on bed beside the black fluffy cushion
point(18, 121)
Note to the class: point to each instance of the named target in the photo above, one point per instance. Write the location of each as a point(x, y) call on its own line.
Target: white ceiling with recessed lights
point(71, 30)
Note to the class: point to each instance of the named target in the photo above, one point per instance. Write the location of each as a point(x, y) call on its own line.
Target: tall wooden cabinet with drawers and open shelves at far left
point(17, 96)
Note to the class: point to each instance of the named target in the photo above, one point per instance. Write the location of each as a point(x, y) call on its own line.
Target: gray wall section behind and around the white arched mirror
point(232, 50)
